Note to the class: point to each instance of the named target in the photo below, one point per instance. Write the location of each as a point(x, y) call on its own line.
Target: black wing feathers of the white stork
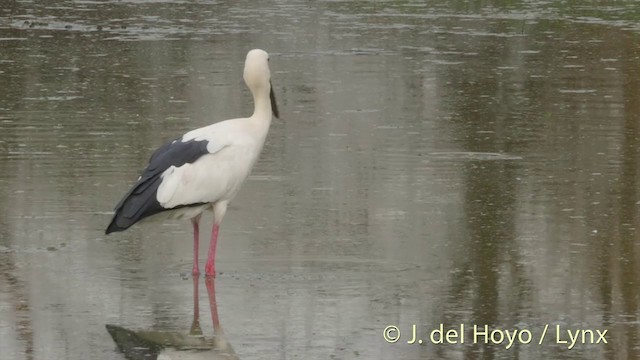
point(141, 201)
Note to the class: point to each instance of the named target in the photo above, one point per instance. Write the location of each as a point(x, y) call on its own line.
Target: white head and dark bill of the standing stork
point(257, 75)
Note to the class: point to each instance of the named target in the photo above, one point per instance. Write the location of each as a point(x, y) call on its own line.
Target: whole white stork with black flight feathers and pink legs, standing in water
point(204, 168)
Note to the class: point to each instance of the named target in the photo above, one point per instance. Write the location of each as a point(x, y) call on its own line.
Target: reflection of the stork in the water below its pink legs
point(165, 345)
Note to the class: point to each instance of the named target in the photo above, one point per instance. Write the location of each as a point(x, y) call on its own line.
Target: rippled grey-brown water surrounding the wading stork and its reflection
point(435, 163)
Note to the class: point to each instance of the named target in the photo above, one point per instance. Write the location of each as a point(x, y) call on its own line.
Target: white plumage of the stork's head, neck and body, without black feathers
point(233, 145)
